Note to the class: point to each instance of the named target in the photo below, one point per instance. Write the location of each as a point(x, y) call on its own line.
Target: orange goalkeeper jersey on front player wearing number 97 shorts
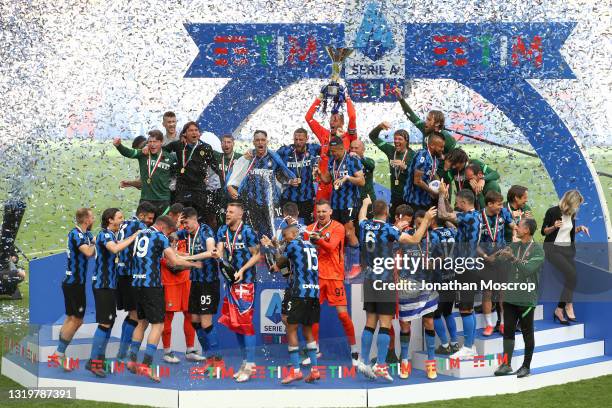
point(330, 249)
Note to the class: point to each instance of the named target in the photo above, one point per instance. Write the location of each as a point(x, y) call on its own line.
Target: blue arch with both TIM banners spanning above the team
point(493, 59)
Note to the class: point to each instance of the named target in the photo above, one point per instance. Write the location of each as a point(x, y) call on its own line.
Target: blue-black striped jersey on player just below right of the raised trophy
point(347, 195)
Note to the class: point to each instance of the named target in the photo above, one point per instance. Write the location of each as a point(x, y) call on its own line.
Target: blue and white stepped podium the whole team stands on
point(562, 354)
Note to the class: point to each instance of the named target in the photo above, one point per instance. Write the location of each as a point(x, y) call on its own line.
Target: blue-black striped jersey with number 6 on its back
point(377, 239)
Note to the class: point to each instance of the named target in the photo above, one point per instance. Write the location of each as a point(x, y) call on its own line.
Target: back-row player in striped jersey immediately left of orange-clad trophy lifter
point(300, 157)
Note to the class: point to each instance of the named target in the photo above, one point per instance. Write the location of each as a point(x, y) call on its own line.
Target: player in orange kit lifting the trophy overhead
point(336, 126)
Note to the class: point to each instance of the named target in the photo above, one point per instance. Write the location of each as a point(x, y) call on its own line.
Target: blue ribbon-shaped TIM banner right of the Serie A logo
point(486, 50)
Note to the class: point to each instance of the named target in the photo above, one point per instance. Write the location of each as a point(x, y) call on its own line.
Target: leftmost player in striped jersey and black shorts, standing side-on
point(80, 247)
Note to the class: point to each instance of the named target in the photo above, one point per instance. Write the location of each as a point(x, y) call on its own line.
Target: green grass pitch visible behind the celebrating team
point(87, 174)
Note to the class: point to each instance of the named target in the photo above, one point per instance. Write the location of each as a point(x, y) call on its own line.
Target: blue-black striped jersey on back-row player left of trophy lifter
point(301, 164)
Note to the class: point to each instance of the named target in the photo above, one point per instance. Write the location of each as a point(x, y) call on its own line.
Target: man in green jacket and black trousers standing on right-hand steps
point(526, 259)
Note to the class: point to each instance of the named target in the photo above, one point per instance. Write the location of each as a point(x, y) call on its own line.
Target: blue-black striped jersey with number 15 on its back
point(304, 266)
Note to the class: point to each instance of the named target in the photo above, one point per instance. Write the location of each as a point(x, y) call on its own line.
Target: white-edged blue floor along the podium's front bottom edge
point(179, 390)
